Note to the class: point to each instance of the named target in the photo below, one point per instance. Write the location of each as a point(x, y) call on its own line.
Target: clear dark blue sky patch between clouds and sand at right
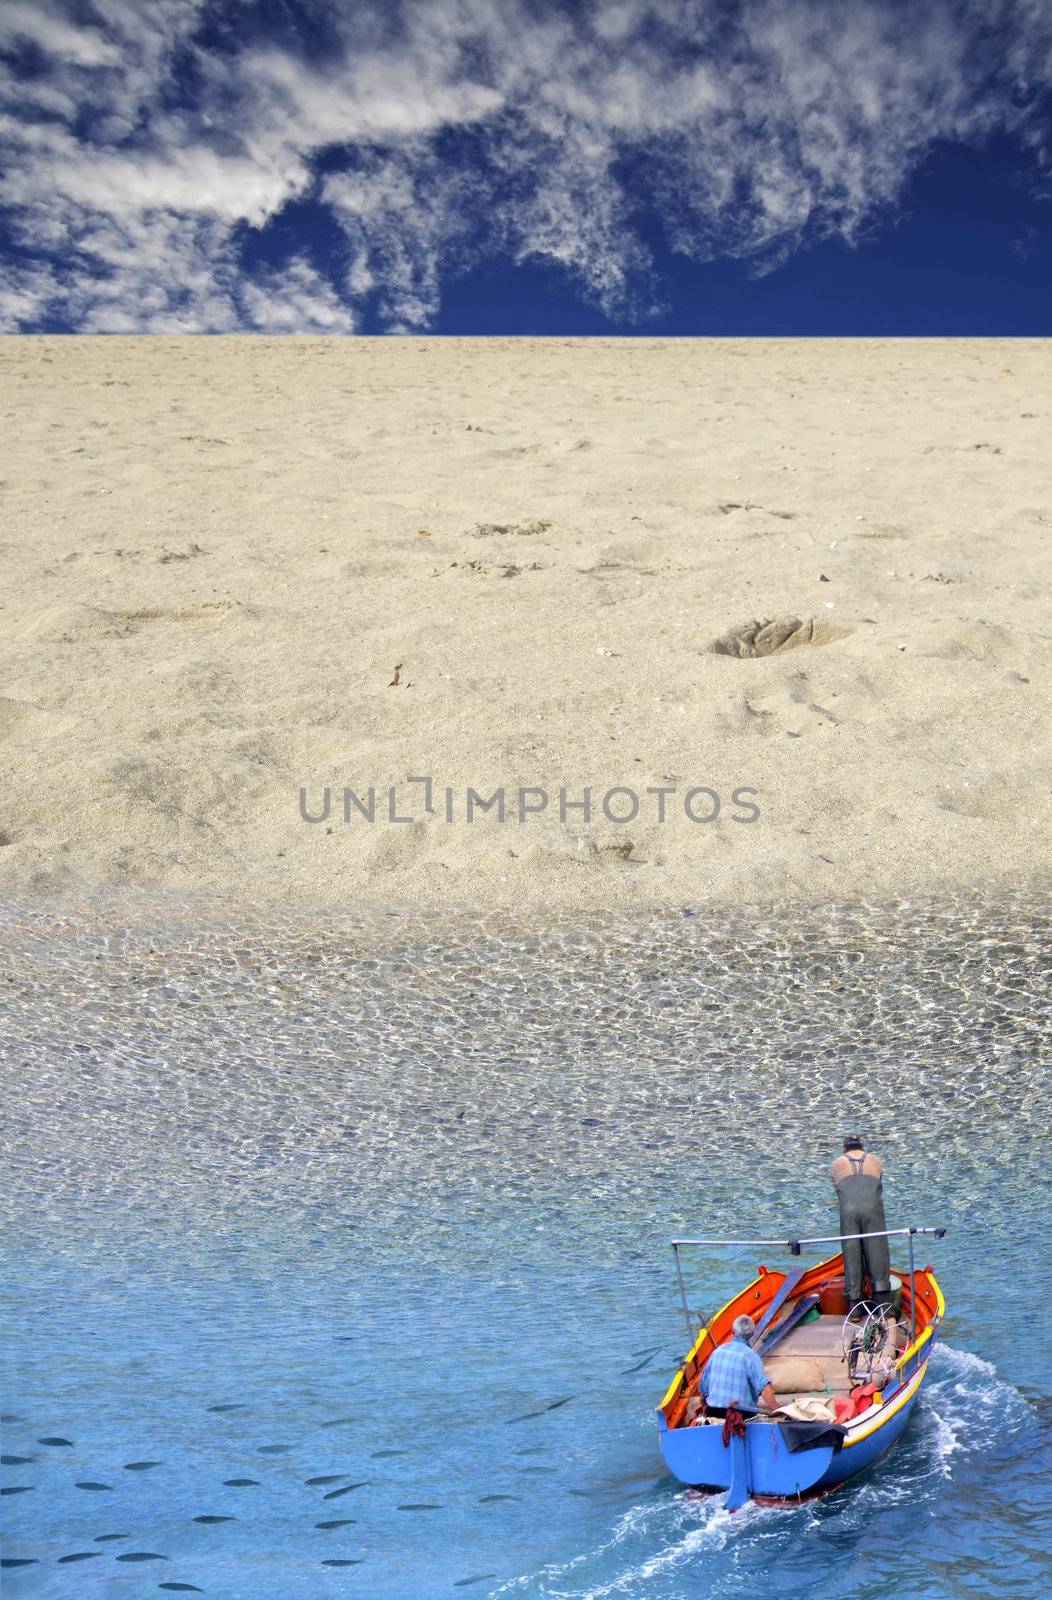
point(970, 252)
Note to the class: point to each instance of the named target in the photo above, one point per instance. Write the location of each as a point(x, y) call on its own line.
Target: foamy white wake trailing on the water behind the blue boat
point(679, 1545)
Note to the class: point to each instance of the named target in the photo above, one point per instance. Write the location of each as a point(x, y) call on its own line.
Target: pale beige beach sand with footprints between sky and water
point(234, 569)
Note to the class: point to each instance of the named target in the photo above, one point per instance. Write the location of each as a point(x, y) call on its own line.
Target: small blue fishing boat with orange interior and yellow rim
point(863, 1369)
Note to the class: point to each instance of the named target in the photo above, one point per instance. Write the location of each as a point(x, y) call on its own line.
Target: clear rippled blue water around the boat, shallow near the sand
point(354, 1241)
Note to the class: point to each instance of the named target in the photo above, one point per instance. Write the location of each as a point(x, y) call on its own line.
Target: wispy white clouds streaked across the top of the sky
point(153, 151)
